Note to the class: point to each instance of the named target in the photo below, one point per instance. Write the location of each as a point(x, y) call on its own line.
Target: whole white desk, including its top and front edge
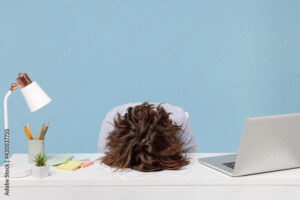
point(200, 182)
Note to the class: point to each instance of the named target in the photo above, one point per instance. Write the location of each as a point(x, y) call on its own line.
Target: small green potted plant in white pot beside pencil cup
point(40, 169)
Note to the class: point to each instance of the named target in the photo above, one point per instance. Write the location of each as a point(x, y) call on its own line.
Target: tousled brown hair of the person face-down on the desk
point(145, 139)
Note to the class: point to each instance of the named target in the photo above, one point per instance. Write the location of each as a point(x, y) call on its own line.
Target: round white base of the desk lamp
point(17, 170)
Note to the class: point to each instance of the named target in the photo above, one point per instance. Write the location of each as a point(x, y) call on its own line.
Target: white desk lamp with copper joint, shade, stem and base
point(35, 98)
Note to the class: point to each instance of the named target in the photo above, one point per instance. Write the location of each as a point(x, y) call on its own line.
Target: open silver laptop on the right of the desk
point(268, 143)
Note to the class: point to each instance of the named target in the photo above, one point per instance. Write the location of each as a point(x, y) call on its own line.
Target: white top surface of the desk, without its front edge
point(197, 174)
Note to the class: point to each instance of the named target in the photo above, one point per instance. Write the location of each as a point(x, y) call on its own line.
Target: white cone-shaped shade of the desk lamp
point(35, 96)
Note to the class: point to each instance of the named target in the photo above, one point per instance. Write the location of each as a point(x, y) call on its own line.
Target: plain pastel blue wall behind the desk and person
point(222, 61)
